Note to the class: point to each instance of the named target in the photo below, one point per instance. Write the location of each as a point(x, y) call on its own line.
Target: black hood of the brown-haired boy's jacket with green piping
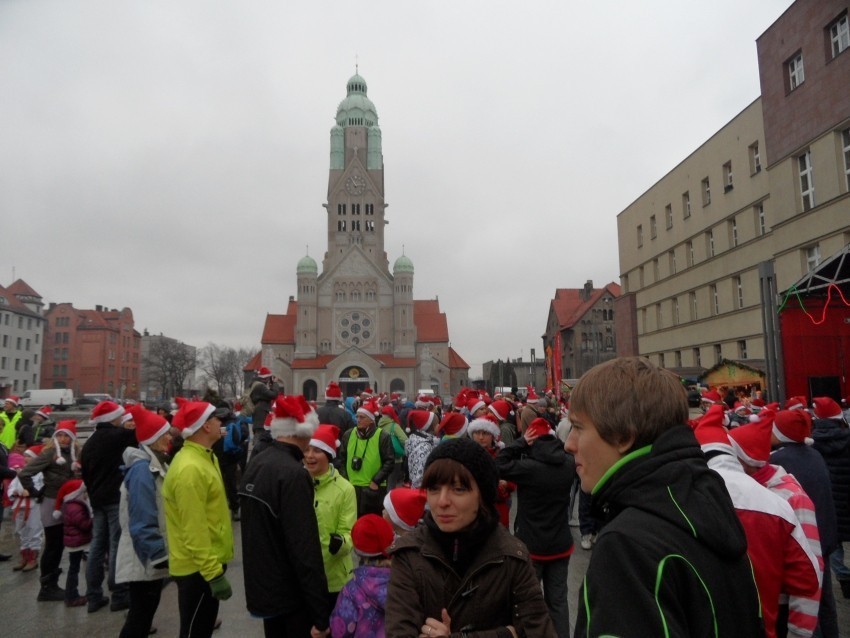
point(671, 480)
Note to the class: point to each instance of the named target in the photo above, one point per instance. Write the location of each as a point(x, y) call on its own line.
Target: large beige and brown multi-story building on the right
point(753, 210)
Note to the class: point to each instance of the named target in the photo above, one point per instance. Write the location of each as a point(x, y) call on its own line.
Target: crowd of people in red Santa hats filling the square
point(377, 515)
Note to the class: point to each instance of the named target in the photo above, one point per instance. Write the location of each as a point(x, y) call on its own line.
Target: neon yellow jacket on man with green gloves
point(197, 519)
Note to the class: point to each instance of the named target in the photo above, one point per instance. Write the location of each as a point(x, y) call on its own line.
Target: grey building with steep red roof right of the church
point(580, 329)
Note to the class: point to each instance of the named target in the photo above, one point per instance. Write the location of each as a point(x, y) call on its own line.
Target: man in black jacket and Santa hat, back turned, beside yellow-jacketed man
point(285, 581)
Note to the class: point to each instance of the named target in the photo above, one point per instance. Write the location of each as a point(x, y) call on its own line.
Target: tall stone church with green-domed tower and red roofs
point(356, 322)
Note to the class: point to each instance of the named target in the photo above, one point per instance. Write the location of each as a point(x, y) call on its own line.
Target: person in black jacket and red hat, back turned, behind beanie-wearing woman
point(540, 467)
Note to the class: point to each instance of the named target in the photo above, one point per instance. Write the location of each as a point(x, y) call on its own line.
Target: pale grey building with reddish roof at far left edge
point(21, 333)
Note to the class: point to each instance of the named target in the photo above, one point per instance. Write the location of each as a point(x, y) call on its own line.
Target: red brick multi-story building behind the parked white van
point(91, 351)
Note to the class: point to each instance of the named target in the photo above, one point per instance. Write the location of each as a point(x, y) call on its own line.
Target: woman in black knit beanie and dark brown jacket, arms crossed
point(460, 572)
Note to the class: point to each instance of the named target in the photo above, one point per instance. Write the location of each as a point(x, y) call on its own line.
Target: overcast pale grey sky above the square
point(172, 157)
